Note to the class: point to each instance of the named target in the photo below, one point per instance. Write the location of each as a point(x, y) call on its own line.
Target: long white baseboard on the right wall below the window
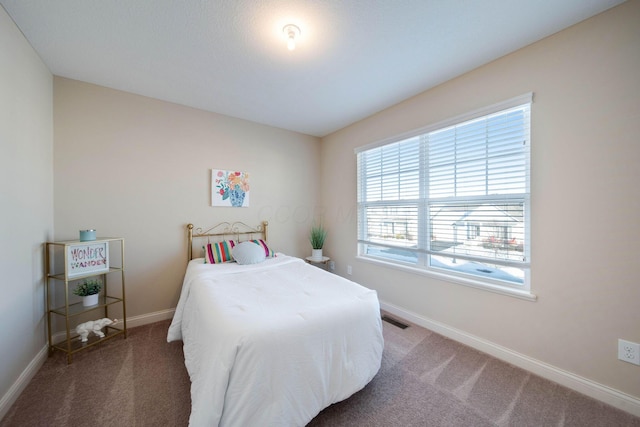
point(575, 382)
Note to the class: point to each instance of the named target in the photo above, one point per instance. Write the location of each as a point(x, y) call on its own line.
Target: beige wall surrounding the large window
point(585, 178)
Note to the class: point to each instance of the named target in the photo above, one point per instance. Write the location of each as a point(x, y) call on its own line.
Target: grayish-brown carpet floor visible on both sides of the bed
point(425, 380)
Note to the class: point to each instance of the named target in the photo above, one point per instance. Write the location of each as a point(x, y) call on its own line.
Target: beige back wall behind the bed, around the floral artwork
point(139, 168)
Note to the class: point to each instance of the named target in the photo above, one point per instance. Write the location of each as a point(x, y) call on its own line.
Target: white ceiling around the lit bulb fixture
point(354, 57)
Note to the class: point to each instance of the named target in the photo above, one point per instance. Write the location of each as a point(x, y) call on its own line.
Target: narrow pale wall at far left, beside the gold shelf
point(26, 202)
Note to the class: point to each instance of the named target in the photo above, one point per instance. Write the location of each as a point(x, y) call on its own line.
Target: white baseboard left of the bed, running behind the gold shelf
point(21, 383)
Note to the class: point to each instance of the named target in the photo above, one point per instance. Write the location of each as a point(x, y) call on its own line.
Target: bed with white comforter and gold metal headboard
point(270, 343)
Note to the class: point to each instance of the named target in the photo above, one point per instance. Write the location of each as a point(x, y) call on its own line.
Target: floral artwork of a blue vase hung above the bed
point(229, 188)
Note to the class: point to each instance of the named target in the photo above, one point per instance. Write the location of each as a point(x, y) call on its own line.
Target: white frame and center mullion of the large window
point(422, 266)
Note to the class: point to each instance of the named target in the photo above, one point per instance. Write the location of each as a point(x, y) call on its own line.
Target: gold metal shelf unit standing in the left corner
point(73, 311)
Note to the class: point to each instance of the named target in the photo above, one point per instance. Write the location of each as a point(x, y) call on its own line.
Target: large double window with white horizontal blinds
point(453, 198)
